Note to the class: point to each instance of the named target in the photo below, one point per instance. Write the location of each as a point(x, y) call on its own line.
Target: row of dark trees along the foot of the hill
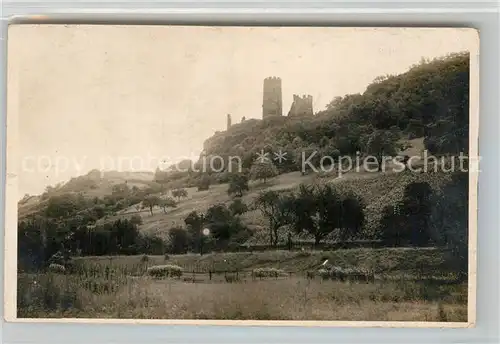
point(423, 217)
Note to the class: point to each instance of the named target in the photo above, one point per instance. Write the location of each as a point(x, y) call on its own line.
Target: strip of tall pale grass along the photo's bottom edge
point(50, 295)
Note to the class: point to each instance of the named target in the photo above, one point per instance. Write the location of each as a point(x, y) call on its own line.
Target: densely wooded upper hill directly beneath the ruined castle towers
point(430, 100)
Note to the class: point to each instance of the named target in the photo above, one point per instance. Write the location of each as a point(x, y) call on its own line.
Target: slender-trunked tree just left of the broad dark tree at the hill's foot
point(278, 209)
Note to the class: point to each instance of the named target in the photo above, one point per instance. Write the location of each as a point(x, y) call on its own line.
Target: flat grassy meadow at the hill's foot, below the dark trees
point(118, 287)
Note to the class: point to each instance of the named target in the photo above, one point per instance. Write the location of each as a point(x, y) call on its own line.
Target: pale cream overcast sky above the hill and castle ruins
point(86, 94)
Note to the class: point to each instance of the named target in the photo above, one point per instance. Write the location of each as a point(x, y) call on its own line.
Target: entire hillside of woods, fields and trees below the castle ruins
point(101, 214)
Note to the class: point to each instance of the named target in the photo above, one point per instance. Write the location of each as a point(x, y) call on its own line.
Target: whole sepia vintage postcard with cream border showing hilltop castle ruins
point(242, 175)
